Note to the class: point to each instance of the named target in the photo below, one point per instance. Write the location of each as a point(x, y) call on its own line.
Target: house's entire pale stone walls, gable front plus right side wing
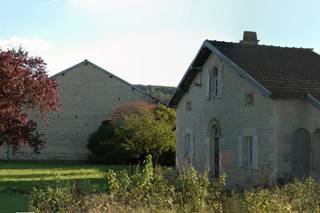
point(271, 123)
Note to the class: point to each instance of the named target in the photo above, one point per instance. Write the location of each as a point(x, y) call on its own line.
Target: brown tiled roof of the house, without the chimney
point(286, 72)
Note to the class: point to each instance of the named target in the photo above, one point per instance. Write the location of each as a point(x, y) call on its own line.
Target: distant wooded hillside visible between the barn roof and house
point(163, 93)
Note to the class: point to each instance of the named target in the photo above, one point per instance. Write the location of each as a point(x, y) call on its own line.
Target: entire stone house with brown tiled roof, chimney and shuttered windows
point(251, 111)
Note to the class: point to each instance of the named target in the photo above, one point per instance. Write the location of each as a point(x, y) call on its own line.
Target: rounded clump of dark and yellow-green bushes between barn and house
point(132, 132)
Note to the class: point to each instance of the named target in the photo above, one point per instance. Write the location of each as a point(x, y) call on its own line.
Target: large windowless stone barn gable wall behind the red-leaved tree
point(88, 94)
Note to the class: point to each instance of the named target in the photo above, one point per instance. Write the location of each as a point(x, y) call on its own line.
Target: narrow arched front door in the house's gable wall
point(214, 149)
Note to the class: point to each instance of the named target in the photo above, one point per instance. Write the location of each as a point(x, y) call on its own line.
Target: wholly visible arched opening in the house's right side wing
point(301, 153)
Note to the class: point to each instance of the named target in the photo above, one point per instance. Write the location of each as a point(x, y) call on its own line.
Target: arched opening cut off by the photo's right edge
point(315, 154)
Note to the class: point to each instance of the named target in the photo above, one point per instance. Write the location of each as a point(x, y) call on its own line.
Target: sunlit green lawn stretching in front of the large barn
point(18, 178)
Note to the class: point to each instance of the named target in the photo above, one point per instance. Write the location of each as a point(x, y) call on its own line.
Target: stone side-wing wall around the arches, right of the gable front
point(293, 115)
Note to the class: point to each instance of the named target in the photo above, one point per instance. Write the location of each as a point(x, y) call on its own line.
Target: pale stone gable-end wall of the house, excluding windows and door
point(235, 119)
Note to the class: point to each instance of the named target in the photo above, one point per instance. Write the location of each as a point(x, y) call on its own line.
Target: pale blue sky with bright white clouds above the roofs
point(149, 41)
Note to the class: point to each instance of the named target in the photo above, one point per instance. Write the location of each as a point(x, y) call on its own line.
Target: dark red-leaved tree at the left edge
point(24, 87)
